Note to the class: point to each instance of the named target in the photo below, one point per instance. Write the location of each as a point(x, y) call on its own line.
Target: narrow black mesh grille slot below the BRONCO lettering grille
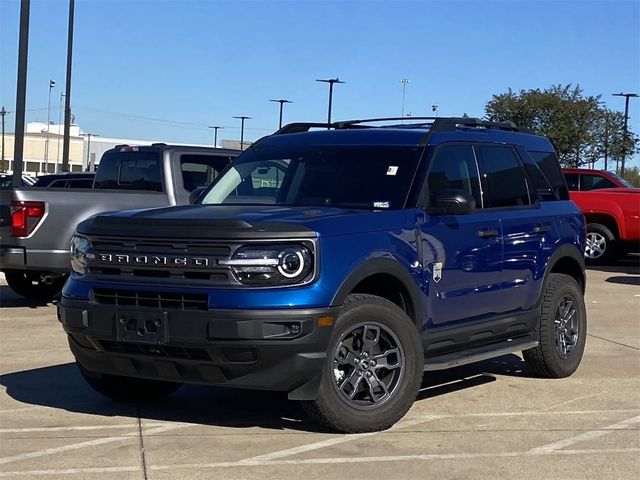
point(139, 298)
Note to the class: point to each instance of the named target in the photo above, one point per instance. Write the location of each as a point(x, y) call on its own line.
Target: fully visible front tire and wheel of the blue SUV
point(352, 361)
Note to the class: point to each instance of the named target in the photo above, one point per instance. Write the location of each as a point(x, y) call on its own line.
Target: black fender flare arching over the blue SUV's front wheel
point(387, 266)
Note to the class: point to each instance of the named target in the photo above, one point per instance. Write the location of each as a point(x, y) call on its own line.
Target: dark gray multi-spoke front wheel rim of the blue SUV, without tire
point(368, 365)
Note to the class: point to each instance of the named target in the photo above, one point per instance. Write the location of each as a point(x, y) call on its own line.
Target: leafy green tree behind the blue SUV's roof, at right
point(581, 128)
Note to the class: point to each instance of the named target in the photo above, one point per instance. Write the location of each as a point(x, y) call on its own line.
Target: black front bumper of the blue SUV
point(281, 350)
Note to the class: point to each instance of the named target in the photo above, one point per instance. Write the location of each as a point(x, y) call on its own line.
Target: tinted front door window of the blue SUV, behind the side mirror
point(454, 168)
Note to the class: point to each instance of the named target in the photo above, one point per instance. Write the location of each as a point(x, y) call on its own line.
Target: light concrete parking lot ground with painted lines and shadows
point(486, 421)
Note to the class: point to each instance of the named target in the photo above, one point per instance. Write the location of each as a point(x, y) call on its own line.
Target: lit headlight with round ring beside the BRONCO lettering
point(271, 265)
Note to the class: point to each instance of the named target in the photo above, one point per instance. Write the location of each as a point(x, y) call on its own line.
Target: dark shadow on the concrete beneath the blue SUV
point(62, 387)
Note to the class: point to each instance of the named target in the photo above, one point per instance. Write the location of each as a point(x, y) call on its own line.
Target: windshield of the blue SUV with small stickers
point(340, 176)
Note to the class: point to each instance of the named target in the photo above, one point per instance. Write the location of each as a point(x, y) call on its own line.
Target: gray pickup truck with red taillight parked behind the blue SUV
point(36, 224)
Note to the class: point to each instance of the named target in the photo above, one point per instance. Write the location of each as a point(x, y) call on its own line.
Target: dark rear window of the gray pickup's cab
point(130, 171)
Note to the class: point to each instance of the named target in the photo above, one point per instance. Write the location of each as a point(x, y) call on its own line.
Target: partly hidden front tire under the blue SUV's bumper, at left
point(129, 389)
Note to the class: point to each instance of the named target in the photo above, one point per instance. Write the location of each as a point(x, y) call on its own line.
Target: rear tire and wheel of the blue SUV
point(548, 359)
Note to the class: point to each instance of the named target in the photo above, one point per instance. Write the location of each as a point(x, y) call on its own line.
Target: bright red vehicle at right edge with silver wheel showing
point(613, 222)
